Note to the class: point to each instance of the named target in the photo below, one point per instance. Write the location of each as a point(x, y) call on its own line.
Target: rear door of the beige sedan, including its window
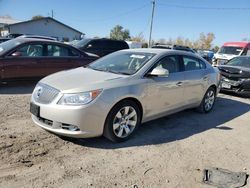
point(195, 78)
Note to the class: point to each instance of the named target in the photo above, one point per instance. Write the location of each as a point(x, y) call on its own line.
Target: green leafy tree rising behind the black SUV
point(119, 33)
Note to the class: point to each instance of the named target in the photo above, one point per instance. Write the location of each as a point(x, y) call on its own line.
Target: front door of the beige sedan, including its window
point(165, 93)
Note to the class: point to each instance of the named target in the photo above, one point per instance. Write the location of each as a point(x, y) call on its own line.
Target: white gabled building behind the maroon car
point(46, 26)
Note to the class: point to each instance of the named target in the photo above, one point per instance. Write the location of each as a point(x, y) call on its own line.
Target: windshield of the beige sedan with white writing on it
point(126, 63)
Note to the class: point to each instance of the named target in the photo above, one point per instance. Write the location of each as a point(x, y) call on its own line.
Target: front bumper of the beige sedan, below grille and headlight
point(72, 121)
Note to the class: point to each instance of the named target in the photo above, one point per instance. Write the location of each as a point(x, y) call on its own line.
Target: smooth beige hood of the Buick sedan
point(82, 79)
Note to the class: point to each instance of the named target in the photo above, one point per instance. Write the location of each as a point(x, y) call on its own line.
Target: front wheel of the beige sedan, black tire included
point(122, 121)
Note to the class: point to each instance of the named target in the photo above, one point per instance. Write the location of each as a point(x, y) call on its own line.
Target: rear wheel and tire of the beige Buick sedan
point(207, 102)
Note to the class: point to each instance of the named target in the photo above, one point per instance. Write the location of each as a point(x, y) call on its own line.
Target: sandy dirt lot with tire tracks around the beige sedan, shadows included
point(169, 152)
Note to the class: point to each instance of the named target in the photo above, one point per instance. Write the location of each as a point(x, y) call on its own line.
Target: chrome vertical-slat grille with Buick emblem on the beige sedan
point(44, 94)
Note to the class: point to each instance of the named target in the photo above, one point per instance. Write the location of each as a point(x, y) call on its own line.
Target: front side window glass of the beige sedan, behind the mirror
point(171, 63)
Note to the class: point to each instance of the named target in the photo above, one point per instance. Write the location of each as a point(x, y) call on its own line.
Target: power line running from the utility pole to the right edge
point(204, 8)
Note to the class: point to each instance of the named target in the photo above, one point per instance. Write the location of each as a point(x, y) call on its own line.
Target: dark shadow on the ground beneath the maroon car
point(20, 87)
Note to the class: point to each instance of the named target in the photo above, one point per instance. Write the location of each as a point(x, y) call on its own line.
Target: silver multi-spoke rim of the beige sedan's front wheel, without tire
point(125, 121)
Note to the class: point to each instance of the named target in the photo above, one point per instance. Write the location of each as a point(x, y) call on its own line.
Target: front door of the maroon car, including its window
point(26, 64)
